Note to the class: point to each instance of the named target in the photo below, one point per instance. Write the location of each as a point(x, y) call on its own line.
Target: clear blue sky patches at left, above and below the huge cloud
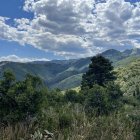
point(14, 9)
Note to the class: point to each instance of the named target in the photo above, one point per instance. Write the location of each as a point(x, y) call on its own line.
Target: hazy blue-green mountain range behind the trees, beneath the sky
point(66, 74)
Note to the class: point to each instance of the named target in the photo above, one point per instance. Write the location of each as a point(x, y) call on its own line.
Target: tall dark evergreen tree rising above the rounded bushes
point(100, 72)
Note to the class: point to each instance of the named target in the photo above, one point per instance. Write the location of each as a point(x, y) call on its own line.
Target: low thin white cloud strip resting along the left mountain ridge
point(14, 58)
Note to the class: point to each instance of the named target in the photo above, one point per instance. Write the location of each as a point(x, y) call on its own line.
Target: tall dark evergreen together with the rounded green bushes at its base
point(101, 94)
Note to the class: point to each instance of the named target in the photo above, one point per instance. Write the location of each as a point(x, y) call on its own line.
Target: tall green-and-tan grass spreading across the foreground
point(71, 123)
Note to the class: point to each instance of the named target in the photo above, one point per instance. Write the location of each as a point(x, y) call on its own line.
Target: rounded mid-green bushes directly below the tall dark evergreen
point(103, 100)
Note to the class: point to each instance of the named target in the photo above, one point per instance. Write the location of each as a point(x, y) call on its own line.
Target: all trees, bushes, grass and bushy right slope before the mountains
point(106, 106)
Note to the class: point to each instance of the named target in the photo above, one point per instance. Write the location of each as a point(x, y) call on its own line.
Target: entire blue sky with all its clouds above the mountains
point(42, 30)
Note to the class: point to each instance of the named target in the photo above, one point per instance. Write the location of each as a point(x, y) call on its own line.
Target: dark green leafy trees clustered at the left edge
point(20, 100)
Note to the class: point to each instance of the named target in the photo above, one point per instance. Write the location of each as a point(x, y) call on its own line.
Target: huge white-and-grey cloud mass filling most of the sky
point(76, 28)
